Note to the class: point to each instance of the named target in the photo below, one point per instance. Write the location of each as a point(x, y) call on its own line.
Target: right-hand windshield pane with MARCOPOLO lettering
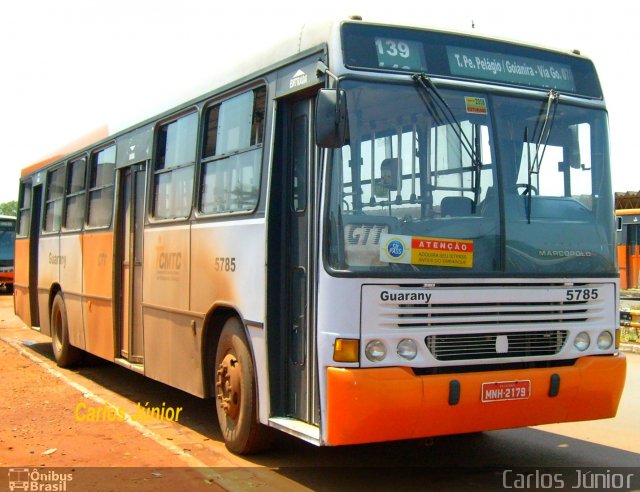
point(556, 186)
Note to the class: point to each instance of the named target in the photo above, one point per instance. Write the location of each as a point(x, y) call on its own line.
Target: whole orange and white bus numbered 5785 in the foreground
point(374, 233)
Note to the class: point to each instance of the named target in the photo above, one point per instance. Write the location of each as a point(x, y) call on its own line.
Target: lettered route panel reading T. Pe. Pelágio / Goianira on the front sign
point(510, 69)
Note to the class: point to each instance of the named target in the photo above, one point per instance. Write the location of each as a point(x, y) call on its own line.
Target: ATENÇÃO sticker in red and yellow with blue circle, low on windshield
point(431, 251)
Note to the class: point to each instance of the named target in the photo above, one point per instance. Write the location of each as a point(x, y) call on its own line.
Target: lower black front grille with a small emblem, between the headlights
point(496, 345)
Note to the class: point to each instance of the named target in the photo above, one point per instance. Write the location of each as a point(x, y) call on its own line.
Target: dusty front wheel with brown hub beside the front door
point(235, 392)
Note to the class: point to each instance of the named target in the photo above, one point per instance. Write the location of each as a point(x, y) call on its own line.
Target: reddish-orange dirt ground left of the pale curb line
point(40, 430)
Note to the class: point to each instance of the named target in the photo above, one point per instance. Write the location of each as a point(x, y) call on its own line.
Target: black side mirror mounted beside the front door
point(331, 118)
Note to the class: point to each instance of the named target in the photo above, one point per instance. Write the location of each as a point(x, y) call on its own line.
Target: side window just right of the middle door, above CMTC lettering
point(174, 165)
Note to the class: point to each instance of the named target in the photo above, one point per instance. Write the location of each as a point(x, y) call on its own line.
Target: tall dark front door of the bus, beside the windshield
point(291, 276)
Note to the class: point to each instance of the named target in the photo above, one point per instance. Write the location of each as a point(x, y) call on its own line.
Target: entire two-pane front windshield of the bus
point(460, 182)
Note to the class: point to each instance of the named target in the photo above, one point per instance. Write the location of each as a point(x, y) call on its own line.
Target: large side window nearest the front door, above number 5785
point(232, 153)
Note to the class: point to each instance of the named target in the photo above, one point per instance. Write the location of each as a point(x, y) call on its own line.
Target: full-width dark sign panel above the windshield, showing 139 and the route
point(372, 47)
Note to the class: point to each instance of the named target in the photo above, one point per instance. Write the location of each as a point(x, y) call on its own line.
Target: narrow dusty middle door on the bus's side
point(130, 251)
